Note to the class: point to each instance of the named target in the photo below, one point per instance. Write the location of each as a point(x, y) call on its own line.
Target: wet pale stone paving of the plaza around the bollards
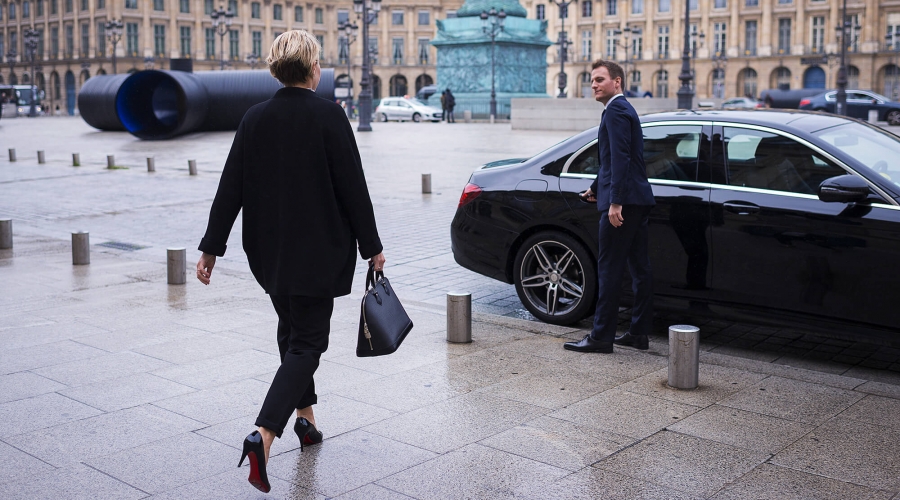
point(114, 384)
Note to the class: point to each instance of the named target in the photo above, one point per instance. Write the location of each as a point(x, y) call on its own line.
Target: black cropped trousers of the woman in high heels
point(303, 327)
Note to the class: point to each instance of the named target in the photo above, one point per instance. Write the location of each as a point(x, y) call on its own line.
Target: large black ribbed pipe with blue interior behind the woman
point(160, 105)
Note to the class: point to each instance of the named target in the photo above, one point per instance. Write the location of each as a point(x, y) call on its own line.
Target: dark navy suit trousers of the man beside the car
point(628, 245)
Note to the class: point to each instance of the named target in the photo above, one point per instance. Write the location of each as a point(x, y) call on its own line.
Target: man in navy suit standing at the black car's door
point(624, 199)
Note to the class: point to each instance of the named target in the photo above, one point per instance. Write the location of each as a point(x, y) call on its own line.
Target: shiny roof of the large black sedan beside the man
point(804, 121)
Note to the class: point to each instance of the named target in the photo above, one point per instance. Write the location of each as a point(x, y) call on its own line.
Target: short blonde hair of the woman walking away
point(293, 57)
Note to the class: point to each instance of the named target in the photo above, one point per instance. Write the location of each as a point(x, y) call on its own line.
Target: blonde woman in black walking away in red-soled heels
point(295, 170)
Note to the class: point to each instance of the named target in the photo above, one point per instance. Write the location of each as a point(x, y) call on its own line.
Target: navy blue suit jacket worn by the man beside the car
point(623, 176)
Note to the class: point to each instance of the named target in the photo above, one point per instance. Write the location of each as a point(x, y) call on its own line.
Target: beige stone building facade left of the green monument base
point(74, 47)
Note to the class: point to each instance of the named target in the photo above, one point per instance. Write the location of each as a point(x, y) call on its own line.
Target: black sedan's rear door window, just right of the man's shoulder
point(671, 151)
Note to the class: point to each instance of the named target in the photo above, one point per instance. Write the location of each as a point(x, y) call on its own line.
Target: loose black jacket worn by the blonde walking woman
point(295, 170)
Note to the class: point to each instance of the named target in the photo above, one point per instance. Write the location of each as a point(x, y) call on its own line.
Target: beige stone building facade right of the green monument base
point(741, 47)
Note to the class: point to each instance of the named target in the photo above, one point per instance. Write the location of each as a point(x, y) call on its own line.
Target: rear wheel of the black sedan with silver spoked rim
point(553, 268)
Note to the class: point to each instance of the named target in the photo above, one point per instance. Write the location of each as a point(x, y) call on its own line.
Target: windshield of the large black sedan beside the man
point(872, 147)
